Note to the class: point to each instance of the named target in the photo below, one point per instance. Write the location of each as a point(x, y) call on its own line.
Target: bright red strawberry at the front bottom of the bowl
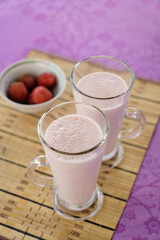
point(40, 94)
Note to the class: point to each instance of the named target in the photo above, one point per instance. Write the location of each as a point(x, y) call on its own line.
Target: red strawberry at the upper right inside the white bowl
point(47, 80)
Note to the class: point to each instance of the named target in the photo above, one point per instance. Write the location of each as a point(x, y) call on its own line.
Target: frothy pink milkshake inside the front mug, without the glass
point(75, 175)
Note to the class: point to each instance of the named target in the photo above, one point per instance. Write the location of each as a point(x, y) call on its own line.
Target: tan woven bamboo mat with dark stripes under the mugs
point(25, 209)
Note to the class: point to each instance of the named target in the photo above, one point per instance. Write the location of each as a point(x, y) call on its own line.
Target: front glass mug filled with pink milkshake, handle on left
point(73, 145)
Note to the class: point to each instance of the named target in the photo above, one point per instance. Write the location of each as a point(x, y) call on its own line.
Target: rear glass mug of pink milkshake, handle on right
point(114, 107)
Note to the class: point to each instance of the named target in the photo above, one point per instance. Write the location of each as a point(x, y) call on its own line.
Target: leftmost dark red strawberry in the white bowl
point(17, 92)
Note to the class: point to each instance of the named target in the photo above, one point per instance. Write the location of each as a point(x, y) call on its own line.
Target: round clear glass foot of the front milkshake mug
point(80, 213)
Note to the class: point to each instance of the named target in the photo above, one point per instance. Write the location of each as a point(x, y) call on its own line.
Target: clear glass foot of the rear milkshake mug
point(109, 163)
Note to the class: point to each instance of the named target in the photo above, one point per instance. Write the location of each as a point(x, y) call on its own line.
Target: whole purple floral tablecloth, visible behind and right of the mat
point(129, 30)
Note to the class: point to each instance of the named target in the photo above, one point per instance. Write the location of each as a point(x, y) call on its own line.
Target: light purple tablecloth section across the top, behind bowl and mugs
point(129, 30)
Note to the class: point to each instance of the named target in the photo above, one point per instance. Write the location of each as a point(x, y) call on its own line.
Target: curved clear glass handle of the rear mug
point(138, 129)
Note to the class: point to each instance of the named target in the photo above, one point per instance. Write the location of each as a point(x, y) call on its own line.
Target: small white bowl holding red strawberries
point(32, 86)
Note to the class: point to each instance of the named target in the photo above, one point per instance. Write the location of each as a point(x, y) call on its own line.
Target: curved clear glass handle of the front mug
point(36, 177)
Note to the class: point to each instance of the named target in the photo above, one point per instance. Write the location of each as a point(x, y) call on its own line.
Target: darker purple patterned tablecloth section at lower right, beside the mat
point(141, 217)
